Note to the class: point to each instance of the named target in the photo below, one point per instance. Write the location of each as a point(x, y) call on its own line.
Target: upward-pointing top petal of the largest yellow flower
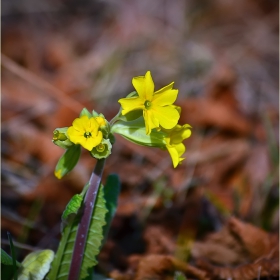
point(144, 86)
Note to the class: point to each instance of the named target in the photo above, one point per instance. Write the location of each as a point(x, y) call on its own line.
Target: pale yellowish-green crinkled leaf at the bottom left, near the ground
point(36, 265)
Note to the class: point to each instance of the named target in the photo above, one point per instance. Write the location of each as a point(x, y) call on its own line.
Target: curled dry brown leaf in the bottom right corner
point(254, 243)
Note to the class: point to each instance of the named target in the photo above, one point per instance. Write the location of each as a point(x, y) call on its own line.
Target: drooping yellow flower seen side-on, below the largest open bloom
point(174, 143)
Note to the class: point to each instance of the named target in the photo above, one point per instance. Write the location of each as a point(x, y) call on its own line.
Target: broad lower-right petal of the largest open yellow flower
point(168, 116)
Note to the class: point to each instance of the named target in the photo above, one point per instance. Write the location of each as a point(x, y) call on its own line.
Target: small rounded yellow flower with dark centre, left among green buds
point(85, 132)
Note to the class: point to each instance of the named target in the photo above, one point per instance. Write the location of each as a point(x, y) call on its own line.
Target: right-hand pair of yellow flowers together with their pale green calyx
point(160, 118)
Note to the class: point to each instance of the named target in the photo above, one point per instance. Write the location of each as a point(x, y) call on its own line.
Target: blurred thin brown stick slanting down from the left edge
point(40, 83)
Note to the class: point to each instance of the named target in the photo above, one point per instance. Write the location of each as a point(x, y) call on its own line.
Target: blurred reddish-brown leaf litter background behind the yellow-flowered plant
point(61, 56)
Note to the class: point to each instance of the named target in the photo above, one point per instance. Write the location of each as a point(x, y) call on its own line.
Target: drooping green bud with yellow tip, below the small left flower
point(68, 161)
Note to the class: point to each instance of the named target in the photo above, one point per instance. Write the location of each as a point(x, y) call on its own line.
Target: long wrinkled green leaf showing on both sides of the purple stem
point(61, 264)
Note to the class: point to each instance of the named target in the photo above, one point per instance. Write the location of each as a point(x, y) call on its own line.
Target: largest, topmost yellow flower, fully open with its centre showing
point(157, 106)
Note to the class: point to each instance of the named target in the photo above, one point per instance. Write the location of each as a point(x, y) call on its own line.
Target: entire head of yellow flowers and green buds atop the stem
point(146, 117)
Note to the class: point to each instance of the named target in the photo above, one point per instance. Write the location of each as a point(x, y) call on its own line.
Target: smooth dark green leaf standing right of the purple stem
point(111, 194)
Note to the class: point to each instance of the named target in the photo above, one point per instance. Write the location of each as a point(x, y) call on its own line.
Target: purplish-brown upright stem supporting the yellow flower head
point(83, 228)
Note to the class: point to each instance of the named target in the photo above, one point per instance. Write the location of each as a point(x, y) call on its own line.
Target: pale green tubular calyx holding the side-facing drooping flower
point(135, 132)
